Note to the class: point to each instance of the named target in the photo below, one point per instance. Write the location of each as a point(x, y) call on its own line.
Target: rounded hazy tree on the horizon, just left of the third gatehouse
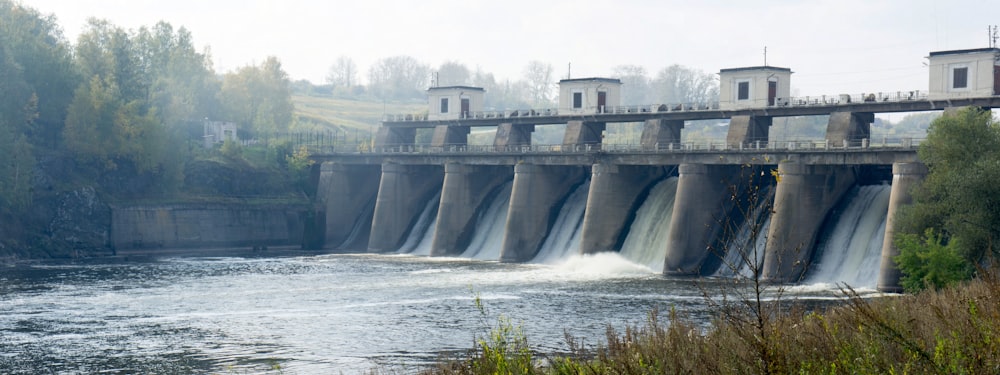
point(678, 84)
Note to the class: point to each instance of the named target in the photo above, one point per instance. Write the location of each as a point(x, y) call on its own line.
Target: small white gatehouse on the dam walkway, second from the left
point(589, 95)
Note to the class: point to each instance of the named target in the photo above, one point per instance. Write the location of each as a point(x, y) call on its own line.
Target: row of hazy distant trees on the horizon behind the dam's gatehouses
point(406, 78)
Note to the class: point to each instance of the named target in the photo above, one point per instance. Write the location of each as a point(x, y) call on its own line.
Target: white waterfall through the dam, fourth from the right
point(564, 237)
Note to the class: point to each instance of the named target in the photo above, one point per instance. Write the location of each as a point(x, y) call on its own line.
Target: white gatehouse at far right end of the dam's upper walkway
point(964, 73)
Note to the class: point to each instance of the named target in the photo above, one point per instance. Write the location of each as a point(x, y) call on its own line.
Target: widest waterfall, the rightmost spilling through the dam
point(851, 248)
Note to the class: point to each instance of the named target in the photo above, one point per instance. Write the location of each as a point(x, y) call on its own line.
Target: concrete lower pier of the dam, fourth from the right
point(611, 203)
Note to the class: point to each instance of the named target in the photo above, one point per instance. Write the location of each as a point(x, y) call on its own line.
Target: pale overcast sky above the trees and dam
point(842, 46)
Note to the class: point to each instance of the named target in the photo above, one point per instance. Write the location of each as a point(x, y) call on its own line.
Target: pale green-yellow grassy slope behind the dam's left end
point(331, 113)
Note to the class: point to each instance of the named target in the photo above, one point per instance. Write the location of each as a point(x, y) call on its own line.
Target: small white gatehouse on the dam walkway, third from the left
point(754, 87)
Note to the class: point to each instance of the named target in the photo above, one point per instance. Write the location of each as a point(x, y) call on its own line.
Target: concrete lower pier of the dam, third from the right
point(700, 208)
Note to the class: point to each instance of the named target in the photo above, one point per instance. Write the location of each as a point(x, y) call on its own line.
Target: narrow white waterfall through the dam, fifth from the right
point(487, 241)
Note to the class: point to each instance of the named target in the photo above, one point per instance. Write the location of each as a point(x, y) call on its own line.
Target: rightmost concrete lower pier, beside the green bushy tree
point(904, 177)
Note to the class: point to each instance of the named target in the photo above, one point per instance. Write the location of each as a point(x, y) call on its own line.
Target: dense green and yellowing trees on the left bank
point(116, 98)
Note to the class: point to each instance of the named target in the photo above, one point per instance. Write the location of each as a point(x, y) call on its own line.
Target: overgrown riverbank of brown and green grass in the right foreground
point(955, 331)
